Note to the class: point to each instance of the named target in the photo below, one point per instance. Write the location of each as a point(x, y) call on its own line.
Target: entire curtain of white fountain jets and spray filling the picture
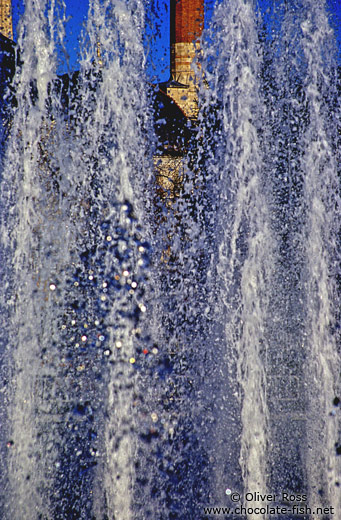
point(159, 350)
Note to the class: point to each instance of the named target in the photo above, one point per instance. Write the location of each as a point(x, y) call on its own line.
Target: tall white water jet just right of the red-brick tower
point(244, 254)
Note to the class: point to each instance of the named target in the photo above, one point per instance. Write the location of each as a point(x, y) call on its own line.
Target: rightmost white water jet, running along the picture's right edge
point(321, 190)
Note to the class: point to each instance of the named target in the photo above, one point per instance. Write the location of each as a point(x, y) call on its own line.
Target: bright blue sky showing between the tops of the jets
point(77, 11)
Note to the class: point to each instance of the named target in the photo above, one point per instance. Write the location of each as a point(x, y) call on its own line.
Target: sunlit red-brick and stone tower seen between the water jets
point(177, 100)
